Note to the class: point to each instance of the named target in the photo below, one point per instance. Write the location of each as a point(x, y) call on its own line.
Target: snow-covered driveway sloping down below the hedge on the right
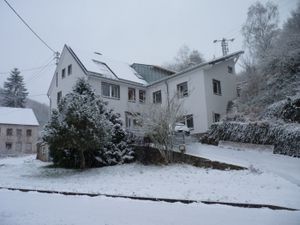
point(284, 166)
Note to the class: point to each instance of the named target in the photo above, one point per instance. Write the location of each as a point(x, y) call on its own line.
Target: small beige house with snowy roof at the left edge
point(18, 131)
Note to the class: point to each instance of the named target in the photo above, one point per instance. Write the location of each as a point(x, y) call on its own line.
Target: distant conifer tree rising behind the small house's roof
point(15, 92)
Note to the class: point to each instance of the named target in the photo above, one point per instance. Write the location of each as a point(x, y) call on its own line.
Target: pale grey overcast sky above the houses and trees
point(148, 32)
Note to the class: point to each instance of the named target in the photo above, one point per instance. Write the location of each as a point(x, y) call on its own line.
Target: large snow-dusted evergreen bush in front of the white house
point(83, 133)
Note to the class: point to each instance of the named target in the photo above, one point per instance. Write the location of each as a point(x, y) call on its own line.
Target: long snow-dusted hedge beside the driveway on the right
point(284, 137)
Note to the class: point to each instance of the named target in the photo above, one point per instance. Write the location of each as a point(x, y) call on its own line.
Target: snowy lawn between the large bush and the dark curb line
point(173, 181)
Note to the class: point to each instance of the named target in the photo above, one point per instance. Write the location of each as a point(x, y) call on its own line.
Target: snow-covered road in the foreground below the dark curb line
point(32, 208)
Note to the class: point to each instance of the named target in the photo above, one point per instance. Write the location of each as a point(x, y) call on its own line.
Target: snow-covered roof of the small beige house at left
point(17, 116)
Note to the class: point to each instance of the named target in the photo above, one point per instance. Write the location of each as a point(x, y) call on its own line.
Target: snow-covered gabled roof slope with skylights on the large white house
point(106, 67)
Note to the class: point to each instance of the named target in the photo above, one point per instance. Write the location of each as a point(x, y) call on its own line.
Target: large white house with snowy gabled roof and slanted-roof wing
point(206, 88)
